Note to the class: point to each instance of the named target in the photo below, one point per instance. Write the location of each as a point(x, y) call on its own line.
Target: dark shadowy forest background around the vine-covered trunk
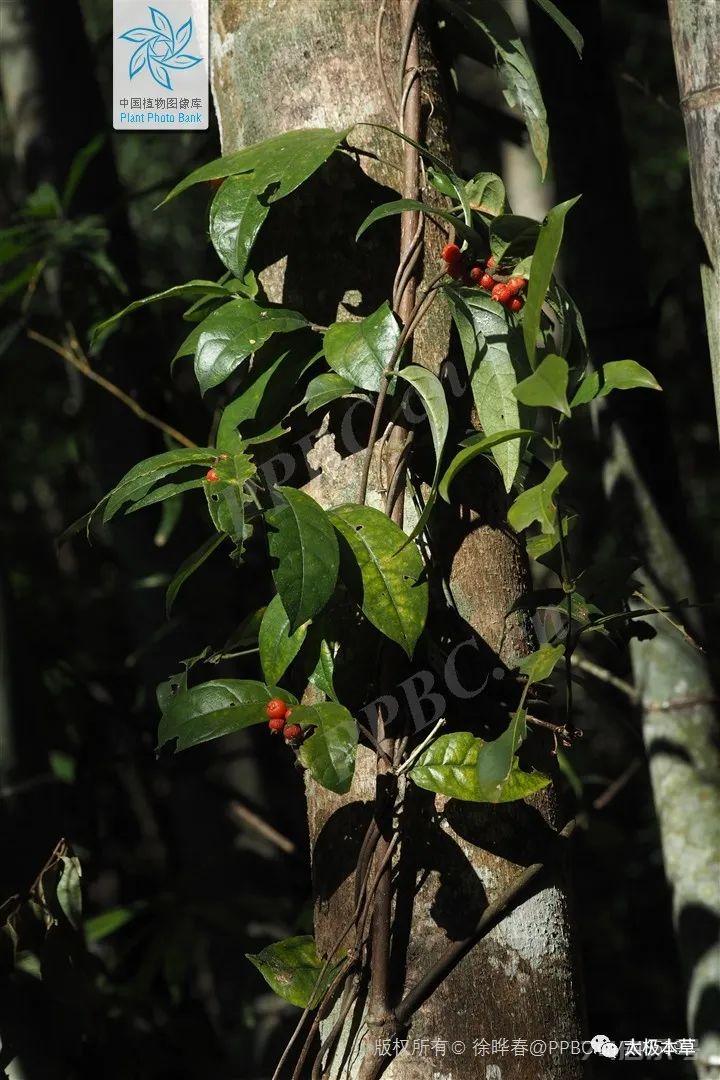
point(179, 881)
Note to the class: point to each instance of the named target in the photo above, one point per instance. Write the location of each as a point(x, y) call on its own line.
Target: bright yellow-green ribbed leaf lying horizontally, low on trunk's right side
point(450, 767)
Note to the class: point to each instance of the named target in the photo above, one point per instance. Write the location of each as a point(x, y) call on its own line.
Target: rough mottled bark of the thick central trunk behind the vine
point(313, 65)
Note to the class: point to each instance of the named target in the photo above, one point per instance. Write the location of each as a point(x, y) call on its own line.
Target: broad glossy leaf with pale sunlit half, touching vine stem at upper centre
point(361, 352)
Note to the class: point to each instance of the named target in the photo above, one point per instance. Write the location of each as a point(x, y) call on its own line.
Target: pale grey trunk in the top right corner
point(696, 26)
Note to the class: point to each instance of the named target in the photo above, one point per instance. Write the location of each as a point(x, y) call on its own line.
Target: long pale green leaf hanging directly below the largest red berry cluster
point(491, 346)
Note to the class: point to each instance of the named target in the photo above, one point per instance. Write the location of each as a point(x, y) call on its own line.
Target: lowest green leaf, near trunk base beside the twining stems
point(292, 968)
